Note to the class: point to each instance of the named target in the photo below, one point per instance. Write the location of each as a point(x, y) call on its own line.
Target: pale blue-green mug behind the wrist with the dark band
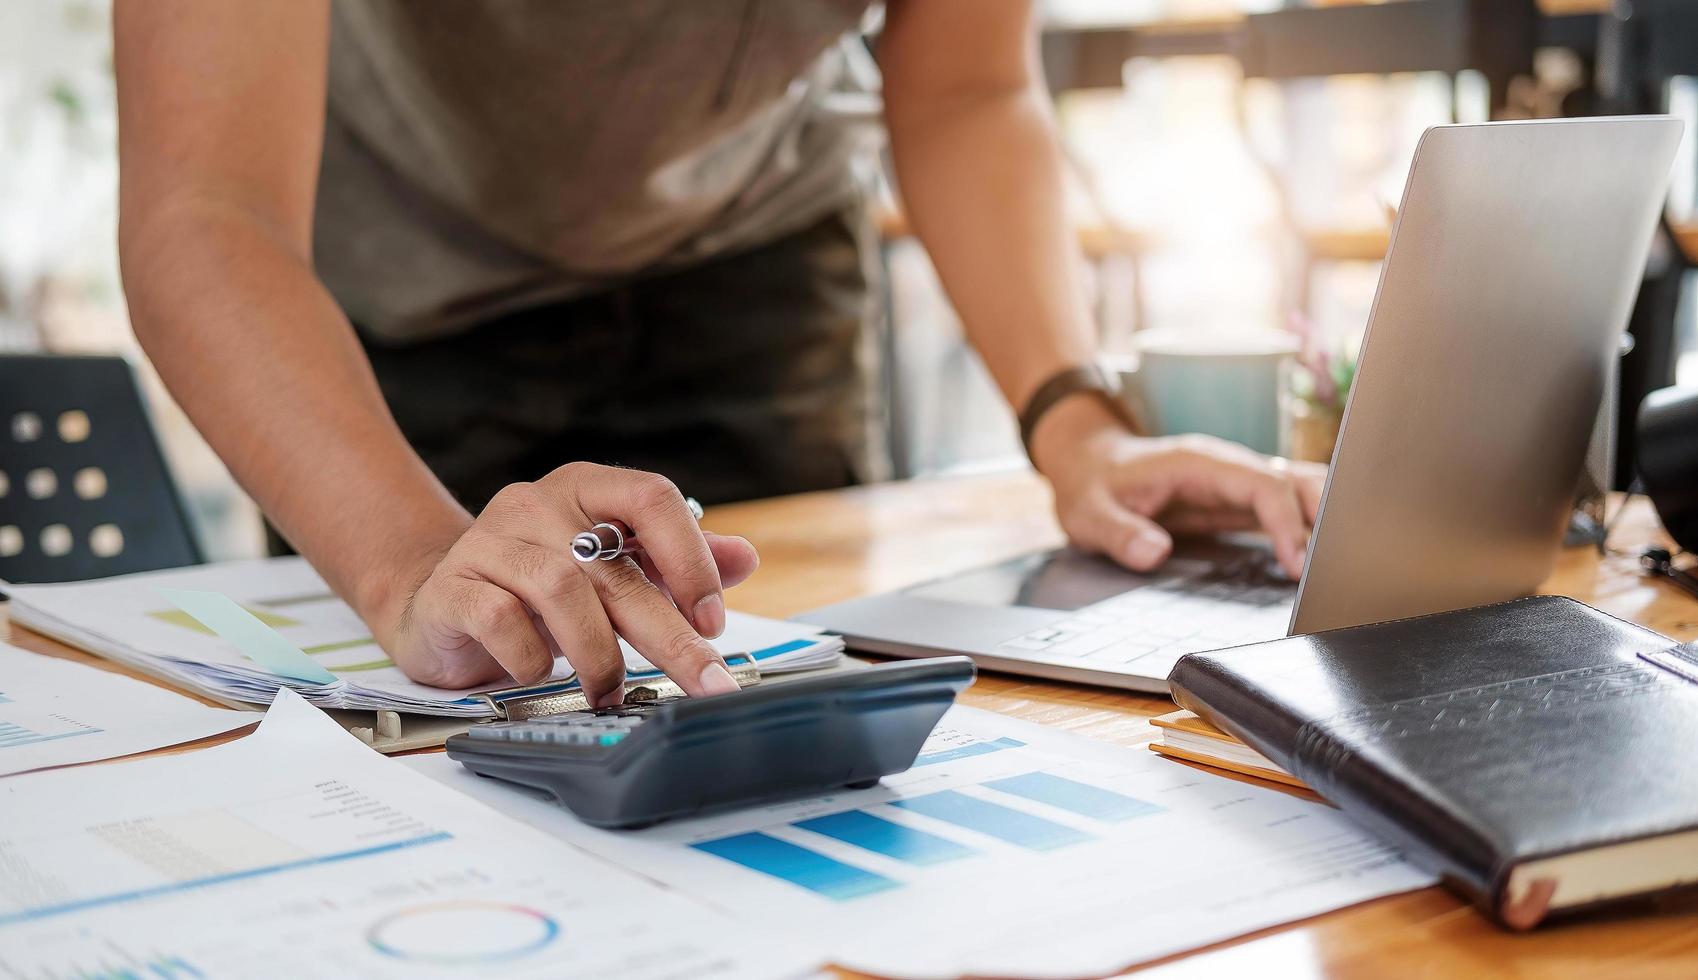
point(1223, 385)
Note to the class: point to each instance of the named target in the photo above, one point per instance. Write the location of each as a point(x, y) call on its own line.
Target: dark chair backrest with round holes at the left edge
point(84, 490)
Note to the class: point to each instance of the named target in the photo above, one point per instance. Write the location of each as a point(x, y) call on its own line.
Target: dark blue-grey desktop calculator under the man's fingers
point(641, 763)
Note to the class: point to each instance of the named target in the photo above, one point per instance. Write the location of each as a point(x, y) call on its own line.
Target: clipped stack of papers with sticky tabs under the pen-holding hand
point(133, 621)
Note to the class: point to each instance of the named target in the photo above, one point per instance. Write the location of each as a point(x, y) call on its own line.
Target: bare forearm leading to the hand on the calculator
point(271, 373)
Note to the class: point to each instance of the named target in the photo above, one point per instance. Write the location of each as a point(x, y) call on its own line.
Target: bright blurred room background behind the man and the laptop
point(1235, 166)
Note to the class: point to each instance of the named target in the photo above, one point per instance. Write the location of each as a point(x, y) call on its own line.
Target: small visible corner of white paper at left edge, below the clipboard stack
point(55, 712)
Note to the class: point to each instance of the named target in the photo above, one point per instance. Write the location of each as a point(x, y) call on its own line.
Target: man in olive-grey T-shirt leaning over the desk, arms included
point(595, 232)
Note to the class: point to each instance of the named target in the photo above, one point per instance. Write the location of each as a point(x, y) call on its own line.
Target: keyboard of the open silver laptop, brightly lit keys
point(1149, 629)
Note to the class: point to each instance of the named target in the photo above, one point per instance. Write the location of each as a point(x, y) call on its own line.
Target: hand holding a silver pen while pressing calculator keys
point(509, 597)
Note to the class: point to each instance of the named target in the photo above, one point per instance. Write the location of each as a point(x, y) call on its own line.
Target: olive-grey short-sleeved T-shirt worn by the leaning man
point(492, 157)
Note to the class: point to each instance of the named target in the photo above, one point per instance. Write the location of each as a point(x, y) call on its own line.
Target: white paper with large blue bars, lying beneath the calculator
point(1009, 850)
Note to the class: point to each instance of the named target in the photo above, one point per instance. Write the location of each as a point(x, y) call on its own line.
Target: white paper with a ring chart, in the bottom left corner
point(298, 852)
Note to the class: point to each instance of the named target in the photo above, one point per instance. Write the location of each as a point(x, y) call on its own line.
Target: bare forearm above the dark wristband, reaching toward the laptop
point(981, 179)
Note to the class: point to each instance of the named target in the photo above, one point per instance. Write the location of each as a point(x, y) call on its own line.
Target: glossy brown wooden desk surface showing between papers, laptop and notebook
point(833, 546)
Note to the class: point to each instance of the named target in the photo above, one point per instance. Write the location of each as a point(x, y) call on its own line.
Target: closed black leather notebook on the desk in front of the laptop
point(1539, 755)
